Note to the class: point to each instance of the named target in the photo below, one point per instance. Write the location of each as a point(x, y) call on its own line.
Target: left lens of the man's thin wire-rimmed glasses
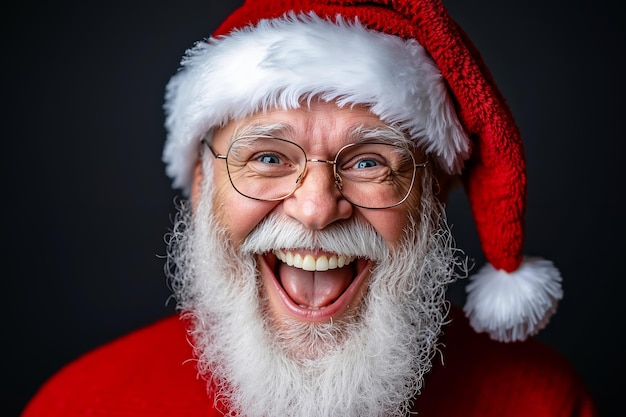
point(265, 168)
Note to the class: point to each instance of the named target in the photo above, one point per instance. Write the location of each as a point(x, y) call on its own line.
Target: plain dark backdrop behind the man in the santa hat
point(86, 201)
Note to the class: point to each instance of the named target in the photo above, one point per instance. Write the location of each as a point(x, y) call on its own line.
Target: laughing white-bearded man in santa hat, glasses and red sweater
point(316, 142)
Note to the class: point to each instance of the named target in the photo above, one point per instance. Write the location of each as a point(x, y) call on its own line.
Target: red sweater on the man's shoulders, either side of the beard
point(149, 373)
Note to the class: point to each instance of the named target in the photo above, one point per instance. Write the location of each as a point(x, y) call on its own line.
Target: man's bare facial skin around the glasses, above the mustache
point(321, 131)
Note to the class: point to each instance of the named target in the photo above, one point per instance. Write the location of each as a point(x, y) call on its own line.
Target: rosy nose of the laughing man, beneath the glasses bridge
point(317, 202)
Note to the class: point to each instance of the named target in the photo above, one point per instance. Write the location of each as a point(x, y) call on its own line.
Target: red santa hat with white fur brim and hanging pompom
point(414, 67)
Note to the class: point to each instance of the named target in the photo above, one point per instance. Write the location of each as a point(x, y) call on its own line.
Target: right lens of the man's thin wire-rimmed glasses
point(375, 175)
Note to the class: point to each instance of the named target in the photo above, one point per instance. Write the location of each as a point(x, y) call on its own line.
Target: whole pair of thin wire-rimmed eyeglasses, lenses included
point(373, 175)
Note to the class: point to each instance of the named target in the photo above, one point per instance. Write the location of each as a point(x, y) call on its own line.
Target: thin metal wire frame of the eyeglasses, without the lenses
point(332, 162)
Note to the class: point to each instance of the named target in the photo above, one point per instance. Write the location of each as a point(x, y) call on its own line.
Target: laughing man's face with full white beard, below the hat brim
point(351, 338)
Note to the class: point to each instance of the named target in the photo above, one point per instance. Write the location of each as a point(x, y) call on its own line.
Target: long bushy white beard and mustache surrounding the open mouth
point(371, 364)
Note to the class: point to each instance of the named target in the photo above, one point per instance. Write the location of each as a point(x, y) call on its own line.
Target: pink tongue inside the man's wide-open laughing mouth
point(314, 289)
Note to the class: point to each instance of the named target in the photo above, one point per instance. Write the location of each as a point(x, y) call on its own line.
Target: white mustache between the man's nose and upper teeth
point(350, 238)
